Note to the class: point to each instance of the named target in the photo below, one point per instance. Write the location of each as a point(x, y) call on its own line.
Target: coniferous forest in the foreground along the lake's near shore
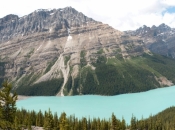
point(12, 118)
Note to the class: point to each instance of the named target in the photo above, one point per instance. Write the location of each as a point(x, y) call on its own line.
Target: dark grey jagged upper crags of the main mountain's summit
point(41, 20)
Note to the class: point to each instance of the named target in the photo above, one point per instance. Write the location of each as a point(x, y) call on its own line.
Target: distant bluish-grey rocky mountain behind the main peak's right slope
point(157, 39)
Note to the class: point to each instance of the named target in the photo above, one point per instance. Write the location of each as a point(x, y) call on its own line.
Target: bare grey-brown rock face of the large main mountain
point(59, 44)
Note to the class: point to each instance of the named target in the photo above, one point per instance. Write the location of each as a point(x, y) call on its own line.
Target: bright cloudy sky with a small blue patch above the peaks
point(120, 14)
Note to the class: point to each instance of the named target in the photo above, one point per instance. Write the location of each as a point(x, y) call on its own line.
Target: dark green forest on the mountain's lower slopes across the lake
point(111, 76)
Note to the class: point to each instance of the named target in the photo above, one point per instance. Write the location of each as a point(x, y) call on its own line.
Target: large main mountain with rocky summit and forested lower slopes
point(63, 52)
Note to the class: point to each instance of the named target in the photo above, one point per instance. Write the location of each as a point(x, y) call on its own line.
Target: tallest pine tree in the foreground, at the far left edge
point(7, 106)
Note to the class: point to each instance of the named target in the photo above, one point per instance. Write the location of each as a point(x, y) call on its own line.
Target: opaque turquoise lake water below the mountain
point(139, 104)
